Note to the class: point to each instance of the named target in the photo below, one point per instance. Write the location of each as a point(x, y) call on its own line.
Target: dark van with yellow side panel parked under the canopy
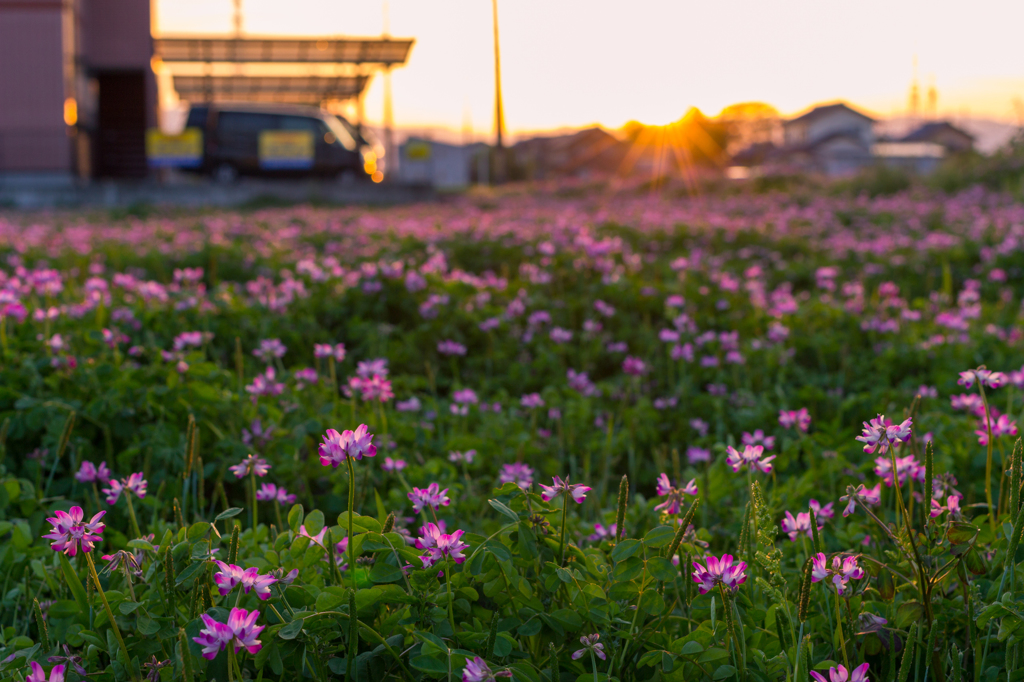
point(281, 142)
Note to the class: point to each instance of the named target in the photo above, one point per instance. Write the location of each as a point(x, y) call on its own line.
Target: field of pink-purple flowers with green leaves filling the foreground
point(540, 438)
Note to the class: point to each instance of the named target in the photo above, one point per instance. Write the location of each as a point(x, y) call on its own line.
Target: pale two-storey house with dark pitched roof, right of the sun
point(835, 140)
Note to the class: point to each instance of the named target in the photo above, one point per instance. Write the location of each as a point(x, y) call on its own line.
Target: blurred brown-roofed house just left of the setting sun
point(587, 153)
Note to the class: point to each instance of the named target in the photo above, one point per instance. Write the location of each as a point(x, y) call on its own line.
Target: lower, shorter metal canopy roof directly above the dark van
point(282, 90)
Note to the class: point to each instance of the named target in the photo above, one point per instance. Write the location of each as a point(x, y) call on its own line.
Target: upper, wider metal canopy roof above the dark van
point(325, 51)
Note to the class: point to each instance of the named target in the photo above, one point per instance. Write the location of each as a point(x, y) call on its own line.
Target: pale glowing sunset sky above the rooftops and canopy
point(573, 63)
